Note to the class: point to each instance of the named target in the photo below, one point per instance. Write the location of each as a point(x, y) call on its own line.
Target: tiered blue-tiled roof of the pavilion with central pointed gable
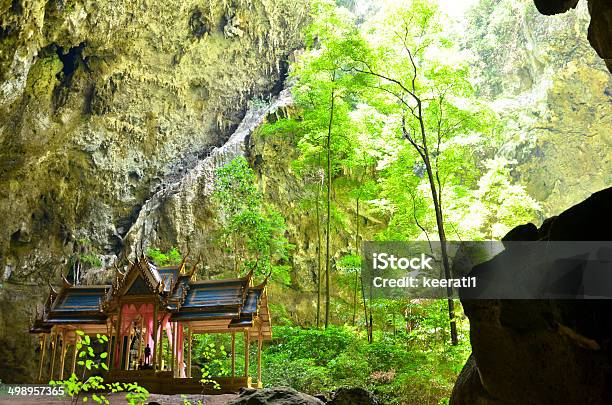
point(233, 303)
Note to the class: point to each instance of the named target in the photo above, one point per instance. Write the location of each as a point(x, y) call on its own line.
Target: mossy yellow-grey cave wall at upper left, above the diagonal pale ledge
point(102, 103)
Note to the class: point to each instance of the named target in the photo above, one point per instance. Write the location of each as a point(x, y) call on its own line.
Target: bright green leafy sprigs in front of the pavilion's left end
point(94, 387)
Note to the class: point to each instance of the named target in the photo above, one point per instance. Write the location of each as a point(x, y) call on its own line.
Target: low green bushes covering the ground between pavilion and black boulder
point(413, 355)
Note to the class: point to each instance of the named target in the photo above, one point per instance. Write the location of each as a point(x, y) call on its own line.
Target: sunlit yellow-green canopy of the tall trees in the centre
point(371, 71)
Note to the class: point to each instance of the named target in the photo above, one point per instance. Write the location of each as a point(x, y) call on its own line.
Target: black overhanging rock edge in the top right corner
point(600, 29)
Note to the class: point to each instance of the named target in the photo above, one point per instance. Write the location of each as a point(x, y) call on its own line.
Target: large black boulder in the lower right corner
point(543, 351)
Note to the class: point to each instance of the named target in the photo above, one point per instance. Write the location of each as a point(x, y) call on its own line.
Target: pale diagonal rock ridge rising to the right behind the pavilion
point(183, 210)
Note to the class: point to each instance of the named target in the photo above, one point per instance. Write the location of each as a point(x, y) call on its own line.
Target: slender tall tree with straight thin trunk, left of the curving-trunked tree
point(324, 90)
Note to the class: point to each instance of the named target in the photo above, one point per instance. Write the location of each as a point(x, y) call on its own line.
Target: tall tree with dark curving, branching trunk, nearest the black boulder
point(432, 99)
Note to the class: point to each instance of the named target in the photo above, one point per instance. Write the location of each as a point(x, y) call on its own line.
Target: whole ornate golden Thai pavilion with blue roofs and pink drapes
point(144, 309)
